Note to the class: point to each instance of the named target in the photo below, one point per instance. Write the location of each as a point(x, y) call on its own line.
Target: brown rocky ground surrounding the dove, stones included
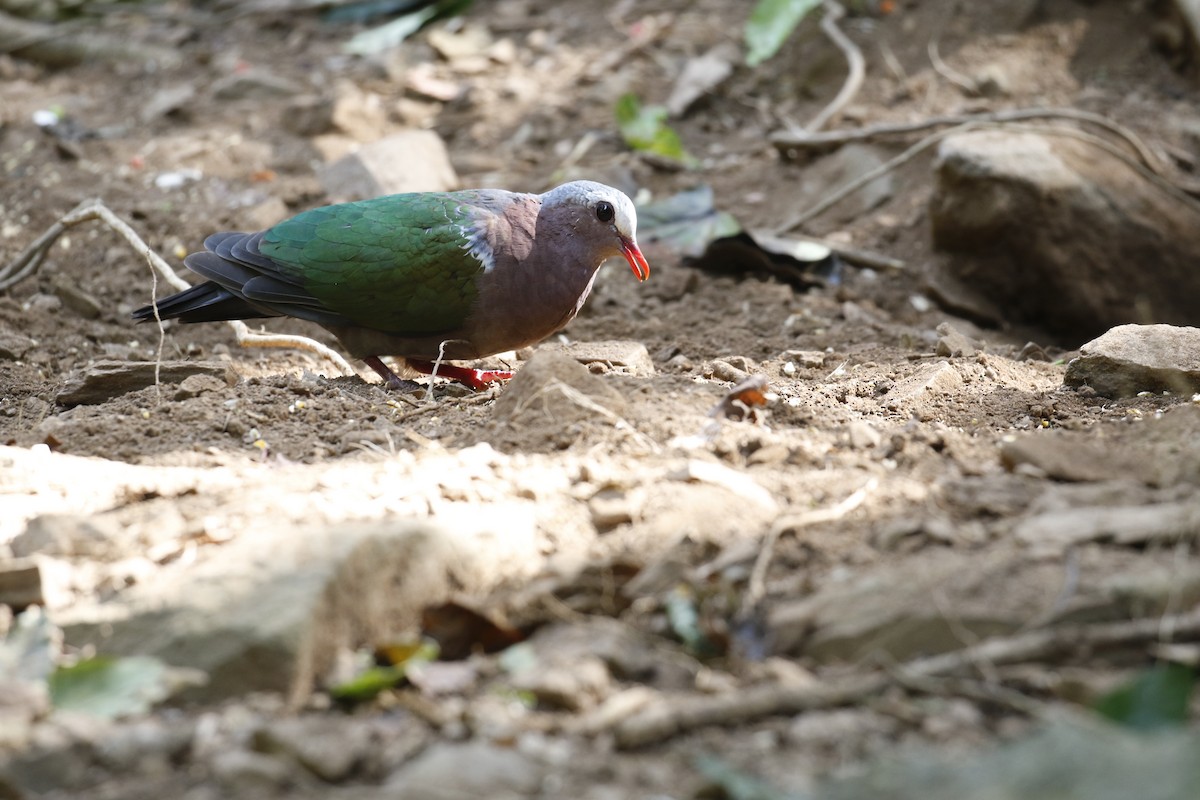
point(733, 536)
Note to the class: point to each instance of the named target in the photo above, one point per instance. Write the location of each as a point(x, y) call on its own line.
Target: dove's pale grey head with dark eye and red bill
point(602, 215)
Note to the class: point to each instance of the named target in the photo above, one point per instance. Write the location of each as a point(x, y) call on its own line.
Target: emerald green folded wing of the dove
point(399, 264)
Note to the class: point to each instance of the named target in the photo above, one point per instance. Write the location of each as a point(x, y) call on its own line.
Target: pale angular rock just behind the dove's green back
point(413, 161)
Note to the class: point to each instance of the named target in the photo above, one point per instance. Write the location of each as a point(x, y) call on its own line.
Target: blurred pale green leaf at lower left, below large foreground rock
point(116, 688)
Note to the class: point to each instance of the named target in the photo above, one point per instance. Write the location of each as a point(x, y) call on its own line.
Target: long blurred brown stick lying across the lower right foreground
point(668, 719)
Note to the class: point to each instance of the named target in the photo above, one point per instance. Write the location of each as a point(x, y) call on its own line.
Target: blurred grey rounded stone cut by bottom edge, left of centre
point(467, 772)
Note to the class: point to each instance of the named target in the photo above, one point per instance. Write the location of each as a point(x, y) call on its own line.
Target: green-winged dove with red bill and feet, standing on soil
point(421, 276)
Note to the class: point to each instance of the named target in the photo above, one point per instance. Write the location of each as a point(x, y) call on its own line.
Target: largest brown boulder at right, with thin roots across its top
point(1061, 234)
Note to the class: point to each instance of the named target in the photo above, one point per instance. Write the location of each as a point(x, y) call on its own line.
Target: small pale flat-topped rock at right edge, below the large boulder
point(1132, 359)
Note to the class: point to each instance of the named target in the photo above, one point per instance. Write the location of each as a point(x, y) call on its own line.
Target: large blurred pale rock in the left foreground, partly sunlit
point(272, 610)
